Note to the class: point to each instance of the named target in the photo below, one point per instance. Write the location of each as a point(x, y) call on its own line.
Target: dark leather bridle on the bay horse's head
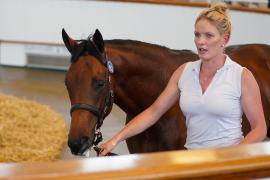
point(100, 113)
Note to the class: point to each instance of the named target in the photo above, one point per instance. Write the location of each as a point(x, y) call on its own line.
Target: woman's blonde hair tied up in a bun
point(218, 15)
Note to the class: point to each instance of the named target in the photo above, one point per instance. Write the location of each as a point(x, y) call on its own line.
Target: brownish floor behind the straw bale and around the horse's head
point(47, 87)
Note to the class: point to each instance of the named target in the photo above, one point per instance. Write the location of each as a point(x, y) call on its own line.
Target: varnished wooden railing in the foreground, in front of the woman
point(239, 162)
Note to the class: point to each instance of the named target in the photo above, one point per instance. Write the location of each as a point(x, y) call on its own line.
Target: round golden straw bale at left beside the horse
point(29, 131)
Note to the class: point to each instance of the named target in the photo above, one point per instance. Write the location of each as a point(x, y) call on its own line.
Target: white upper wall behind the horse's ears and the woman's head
point(171, 26)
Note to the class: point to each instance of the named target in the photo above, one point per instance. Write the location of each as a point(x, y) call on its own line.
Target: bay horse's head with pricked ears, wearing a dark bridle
point(88, 85)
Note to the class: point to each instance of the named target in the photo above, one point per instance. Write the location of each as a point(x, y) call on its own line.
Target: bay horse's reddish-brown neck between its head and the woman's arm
point(141, 73)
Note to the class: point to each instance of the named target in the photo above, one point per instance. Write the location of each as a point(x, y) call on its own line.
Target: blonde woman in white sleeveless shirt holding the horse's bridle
point(214, 91)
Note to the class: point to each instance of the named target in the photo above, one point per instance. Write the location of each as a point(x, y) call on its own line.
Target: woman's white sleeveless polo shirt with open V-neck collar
point(213, 119)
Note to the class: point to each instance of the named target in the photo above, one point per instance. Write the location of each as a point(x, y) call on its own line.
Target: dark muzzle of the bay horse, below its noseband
point(78, 147)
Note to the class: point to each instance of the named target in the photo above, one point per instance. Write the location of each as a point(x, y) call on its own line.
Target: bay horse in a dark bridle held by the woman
point(132, 74)
